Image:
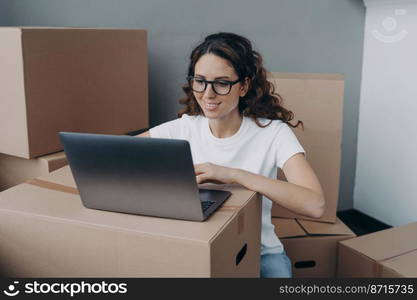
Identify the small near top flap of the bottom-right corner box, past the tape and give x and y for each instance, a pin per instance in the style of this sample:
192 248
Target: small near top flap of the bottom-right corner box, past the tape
404 265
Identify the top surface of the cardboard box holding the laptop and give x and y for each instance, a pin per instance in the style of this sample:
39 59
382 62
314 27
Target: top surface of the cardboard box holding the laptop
41 202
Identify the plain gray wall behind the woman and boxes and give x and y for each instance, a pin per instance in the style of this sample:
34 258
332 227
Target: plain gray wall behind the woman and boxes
293 36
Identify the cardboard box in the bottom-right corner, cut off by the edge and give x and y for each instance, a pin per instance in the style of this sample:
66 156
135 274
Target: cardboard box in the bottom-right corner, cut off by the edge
386 253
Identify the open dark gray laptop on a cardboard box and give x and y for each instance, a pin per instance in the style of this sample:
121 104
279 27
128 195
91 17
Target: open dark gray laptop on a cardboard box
138 175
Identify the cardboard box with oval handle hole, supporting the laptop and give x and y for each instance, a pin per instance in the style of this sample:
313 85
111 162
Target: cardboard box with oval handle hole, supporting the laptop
46 232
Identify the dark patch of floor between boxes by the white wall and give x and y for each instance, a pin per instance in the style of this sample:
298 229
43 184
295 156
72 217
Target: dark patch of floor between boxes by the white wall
361 223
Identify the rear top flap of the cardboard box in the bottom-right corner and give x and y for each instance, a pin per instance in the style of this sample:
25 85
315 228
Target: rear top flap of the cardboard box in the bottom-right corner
387 243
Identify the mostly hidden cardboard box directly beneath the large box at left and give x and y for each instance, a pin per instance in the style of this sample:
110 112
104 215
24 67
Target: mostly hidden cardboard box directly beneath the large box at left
15 170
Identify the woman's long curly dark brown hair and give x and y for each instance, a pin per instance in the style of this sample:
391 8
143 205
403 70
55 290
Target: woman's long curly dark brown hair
261 100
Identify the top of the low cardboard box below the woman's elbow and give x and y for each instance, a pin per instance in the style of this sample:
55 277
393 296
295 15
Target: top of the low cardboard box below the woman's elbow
290 228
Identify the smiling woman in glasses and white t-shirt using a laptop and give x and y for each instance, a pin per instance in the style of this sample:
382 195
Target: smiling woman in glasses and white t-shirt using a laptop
239 133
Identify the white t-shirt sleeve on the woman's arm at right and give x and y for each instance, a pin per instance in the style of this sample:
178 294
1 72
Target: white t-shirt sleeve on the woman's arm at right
287 145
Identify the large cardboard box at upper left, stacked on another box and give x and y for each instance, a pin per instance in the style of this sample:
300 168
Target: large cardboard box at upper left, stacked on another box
69 79
